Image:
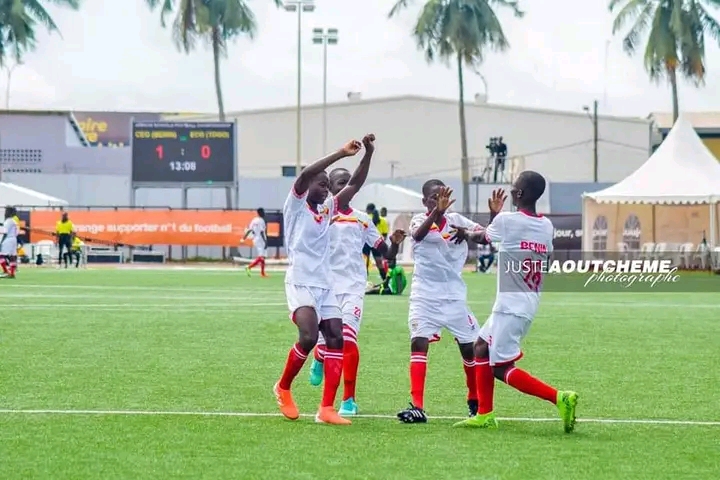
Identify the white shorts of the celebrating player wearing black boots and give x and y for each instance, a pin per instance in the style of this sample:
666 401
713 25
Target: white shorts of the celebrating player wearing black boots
428 317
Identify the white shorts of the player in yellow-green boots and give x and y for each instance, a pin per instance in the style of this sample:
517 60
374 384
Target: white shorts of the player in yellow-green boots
503 333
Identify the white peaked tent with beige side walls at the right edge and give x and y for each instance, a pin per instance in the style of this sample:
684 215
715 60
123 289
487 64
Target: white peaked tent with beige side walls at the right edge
673 197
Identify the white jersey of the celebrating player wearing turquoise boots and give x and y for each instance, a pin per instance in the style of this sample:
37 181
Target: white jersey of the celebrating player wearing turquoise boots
350 231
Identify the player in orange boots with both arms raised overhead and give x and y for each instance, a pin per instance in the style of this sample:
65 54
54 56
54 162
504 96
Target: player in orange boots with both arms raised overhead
313 306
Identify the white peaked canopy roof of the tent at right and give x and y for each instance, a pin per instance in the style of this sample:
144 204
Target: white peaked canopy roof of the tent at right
681 171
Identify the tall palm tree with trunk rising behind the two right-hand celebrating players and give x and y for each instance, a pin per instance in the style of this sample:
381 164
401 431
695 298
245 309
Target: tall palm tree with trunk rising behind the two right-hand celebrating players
462 31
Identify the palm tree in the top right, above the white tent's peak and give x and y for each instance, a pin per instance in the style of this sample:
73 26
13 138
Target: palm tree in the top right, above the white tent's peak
675 37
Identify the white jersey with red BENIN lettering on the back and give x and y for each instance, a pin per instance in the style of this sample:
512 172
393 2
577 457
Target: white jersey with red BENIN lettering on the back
525 246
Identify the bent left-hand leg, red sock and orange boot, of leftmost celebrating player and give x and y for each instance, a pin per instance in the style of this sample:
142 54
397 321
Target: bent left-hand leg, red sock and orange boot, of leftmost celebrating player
306 320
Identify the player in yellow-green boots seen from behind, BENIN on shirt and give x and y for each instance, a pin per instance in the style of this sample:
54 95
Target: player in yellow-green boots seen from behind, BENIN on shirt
526 241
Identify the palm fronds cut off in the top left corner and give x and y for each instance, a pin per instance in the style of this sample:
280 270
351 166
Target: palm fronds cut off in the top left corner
18 21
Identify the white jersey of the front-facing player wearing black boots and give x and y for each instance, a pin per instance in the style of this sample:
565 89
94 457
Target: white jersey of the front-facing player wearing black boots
439 262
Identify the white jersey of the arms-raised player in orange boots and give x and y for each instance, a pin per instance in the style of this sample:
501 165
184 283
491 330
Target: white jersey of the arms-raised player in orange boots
308 241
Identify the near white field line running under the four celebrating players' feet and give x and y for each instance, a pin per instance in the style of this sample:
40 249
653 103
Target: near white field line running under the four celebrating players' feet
259 415
